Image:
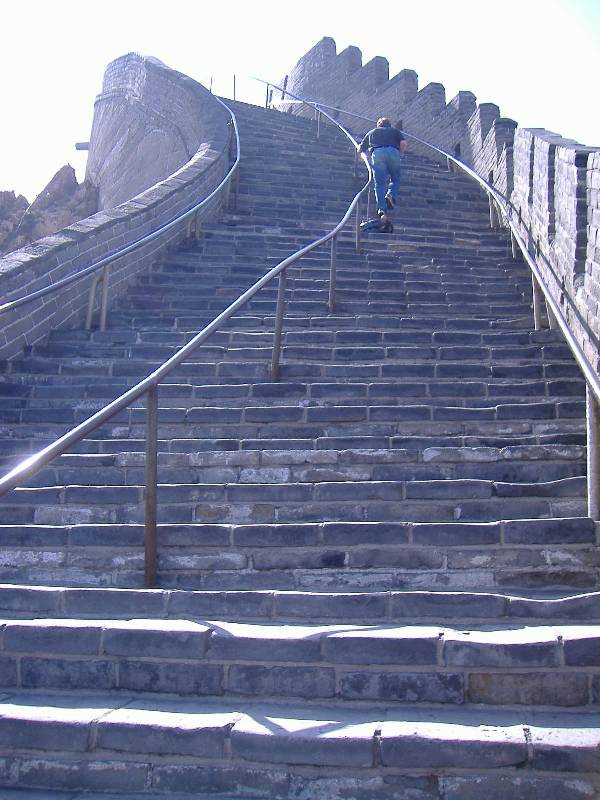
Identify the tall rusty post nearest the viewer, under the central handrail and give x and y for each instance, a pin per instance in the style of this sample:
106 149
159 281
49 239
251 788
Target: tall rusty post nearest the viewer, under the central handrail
151 491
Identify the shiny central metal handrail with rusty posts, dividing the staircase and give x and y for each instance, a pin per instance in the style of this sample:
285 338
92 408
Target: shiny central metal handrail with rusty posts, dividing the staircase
149 385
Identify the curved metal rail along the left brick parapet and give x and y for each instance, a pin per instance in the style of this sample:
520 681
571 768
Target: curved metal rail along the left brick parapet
97 265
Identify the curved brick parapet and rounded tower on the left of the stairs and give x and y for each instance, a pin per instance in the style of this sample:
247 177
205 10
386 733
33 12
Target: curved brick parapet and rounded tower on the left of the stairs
79 245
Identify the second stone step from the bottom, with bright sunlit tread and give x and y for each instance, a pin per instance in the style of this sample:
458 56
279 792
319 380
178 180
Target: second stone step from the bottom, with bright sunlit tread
555 666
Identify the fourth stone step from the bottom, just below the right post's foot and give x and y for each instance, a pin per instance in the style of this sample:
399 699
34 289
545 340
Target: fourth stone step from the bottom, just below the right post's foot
542 554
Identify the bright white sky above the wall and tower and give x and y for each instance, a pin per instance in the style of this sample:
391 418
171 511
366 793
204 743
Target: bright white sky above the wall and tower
538 60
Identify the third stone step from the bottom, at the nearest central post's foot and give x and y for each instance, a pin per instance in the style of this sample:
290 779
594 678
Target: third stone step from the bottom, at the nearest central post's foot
269 605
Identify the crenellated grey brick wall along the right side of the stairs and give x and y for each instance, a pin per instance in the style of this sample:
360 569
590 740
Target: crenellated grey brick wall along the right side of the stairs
552 182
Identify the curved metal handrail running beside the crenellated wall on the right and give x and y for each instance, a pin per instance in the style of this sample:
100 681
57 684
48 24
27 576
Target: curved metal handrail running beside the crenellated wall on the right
506 210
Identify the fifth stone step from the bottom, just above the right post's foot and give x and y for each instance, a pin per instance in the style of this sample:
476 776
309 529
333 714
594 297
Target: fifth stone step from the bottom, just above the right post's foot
418 500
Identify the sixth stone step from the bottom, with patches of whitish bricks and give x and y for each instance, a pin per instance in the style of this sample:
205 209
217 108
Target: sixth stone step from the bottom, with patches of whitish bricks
511 464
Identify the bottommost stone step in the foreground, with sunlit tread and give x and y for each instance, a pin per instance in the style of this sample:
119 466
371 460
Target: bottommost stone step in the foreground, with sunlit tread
114 743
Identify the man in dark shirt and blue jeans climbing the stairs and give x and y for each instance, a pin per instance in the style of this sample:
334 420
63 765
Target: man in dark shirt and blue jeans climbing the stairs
385 144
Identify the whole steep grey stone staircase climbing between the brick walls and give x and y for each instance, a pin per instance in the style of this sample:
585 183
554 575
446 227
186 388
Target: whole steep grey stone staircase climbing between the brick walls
378 579
